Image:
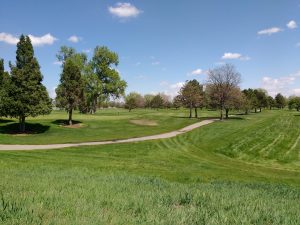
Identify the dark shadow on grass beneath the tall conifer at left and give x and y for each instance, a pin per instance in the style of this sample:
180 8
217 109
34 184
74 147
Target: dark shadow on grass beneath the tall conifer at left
31 128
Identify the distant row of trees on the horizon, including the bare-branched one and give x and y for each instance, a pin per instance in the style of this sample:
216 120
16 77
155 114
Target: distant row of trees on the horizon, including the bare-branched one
221 91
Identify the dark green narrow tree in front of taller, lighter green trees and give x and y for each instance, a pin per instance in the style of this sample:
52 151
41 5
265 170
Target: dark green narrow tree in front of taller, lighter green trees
69 91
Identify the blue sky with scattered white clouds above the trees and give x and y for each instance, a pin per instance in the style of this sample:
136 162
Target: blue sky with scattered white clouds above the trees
161 44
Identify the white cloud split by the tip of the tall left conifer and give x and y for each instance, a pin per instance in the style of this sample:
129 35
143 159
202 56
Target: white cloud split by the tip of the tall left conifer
47 39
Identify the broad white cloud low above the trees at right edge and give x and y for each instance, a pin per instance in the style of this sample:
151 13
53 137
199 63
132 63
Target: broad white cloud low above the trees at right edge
281 85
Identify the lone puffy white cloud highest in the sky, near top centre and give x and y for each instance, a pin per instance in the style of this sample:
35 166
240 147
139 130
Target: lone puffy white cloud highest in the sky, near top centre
124 10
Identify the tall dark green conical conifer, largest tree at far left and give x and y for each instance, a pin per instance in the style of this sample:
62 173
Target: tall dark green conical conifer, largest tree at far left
26 94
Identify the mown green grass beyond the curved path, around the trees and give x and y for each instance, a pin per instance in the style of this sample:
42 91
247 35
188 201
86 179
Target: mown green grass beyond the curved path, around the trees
107 124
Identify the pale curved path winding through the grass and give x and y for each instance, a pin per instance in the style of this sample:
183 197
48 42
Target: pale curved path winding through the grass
146 138
